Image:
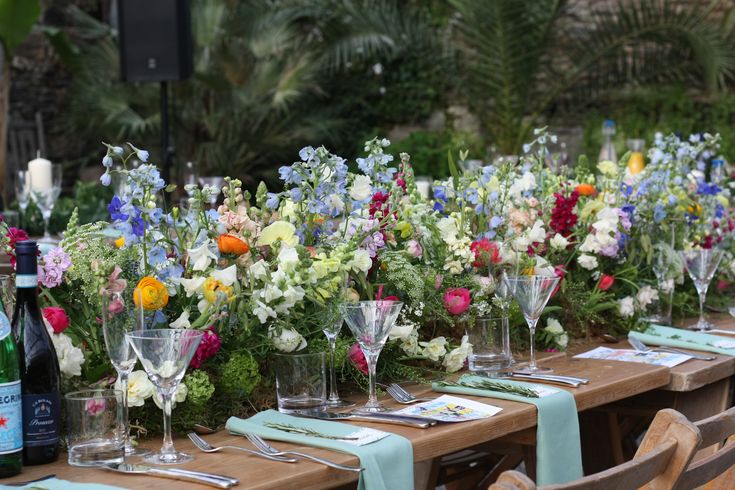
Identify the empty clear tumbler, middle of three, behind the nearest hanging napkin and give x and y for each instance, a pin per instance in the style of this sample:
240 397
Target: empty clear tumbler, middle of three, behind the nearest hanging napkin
301 382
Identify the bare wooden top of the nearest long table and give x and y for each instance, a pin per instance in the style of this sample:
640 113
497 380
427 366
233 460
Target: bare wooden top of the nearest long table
609 381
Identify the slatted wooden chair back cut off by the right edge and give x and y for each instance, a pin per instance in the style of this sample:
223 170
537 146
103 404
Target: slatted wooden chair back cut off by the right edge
717 471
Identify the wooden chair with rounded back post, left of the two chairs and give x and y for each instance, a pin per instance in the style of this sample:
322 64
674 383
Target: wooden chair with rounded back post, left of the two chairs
659 463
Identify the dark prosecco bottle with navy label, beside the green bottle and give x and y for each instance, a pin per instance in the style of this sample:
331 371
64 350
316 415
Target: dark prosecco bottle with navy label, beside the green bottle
39 367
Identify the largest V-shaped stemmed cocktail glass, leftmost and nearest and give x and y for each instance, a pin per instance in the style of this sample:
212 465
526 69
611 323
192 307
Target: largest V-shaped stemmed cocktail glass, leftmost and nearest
165 354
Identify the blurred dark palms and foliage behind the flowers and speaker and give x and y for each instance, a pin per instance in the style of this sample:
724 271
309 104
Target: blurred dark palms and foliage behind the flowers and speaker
274 75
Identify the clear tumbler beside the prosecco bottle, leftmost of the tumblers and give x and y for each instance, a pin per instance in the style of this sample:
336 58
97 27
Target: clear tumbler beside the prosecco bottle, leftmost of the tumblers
95 429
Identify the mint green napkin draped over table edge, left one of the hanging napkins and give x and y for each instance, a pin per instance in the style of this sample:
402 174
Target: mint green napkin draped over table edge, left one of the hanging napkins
387 463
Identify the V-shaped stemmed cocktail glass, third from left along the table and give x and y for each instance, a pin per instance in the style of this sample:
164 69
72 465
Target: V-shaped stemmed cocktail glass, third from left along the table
532 293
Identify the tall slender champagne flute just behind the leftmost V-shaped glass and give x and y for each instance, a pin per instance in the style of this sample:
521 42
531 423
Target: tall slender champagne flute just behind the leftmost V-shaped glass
119 317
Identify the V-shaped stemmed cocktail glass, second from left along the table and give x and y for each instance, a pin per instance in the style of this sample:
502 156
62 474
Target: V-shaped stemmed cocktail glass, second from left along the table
371 322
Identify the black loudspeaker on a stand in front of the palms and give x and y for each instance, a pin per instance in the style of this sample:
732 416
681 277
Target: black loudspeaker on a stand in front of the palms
155 40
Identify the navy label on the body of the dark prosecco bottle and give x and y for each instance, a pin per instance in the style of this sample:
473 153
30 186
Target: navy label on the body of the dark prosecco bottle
41 419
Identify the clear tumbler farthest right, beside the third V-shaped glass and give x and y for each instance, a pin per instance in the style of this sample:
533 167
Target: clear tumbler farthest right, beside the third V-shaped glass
488 350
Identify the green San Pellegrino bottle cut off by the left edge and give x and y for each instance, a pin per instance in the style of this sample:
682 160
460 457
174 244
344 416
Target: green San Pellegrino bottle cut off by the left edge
11 416
